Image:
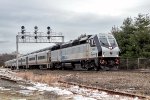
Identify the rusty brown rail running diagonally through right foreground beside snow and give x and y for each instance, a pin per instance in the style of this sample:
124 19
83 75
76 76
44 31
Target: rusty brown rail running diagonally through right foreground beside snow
112 92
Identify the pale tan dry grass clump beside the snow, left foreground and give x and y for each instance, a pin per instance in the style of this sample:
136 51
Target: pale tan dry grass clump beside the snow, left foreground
46 78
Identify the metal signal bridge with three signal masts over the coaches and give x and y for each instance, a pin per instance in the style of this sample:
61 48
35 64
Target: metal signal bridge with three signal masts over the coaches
37 37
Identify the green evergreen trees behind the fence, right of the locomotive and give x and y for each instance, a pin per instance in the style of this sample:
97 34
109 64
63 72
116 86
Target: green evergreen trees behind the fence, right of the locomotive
133 36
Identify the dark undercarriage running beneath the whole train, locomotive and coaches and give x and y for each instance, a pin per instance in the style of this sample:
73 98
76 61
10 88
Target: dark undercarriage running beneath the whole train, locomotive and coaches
92 64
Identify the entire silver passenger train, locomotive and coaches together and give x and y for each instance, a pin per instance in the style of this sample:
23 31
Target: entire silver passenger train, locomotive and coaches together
90 52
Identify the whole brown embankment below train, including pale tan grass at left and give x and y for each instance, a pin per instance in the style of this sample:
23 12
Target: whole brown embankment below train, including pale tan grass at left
126 81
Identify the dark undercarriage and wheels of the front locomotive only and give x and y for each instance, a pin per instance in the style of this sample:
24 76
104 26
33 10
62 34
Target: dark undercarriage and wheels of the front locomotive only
92 64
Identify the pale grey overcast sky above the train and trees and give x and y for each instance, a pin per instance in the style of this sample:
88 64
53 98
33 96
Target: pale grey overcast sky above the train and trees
71 17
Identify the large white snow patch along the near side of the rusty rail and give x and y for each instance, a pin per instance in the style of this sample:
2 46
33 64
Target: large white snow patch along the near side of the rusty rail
84 93
